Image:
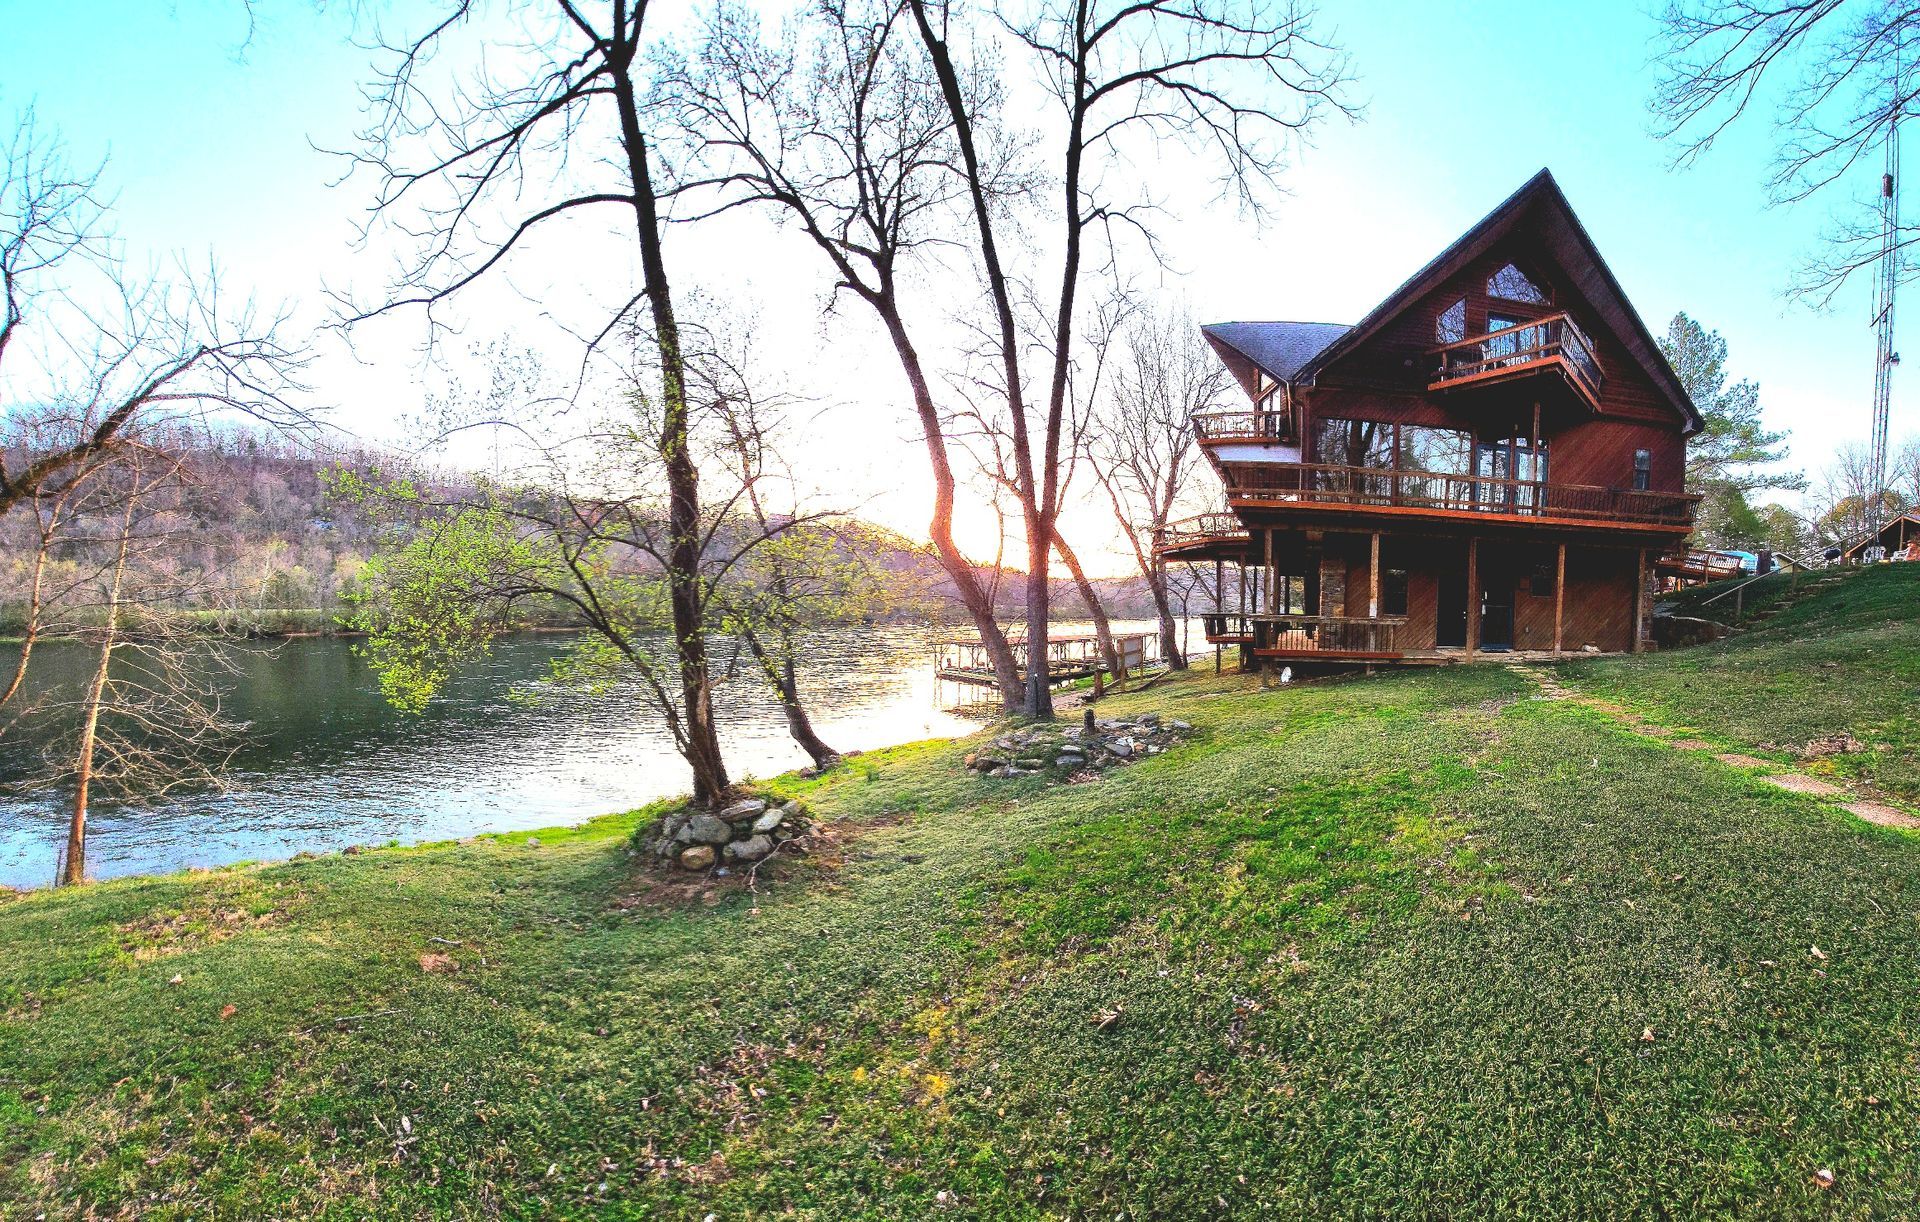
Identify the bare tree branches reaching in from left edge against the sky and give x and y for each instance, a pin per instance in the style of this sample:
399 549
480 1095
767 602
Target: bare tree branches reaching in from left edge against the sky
93 358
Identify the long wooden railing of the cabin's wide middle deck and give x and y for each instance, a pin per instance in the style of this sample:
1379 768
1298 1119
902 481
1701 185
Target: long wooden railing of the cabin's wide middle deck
1328 485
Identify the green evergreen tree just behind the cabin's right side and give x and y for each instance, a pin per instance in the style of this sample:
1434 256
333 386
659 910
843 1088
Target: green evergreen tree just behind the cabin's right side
1735 456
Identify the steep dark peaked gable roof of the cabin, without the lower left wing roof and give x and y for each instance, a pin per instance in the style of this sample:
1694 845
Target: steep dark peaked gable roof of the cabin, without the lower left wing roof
1545 207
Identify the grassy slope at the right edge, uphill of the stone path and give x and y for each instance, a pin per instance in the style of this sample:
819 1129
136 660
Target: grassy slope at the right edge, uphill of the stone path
1844 660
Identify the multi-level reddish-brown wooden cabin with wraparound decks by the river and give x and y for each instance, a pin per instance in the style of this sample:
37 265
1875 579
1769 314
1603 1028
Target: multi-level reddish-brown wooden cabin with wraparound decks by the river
1493 460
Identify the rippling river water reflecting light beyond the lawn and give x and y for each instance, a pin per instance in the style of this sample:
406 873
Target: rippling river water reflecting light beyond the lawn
327 764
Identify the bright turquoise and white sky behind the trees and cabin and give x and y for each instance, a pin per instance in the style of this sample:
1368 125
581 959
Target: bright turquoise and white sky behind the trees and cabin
210 149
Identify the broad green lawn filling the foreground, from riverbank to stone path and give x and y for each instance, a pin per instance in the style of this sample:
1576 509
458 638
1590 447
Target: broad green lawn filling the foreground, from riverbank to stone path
1410 946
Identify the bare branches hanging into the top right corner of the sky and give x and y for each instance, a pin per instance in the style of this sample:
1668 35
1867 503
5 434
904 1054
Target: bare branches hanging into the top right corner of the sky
1833 74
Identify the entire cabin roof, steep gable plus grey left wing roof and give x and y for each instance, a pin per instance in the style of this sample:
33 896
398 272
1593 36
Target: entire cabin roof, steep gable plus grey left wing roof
1541 207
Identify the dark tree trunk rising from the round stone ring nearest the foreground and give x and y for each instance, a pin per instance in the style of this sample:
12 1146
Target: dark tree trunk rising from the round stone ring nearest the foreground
683 479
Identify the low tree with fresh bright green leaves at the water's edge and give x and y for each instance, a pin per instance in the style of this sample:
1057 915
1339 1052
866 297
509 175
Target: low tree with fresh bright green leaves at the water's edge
587 529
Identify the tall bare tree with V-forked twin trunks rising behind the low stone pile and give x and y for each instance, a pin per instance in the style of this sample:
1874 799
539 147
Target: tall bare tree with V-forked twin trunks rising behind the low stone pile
1236 82
